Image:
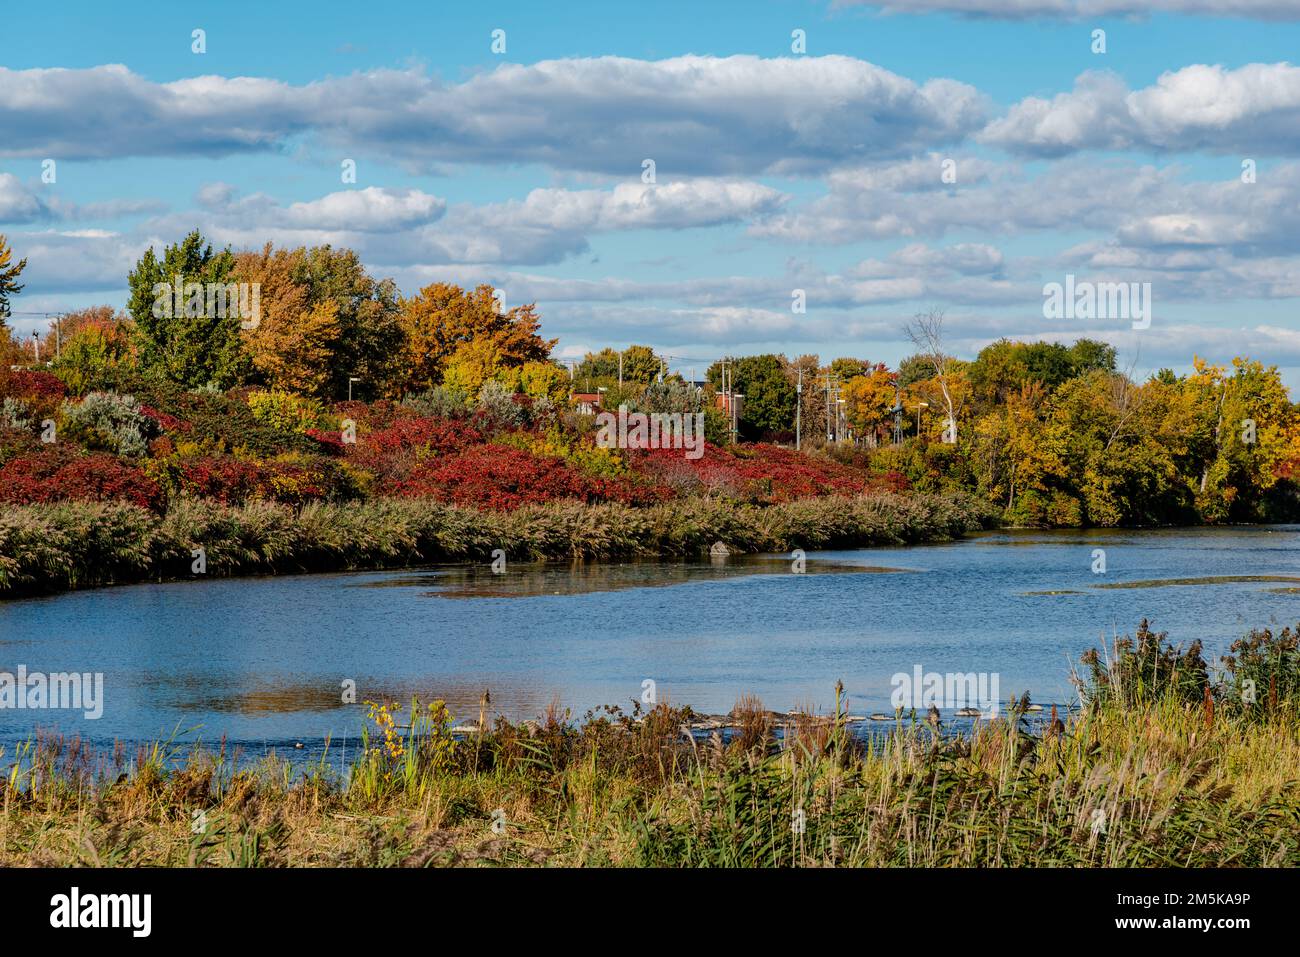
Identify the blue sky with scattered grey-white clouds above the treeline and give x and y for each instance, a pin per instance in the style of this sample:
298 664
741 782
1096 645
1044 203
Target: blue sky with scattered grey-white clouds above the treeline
775 171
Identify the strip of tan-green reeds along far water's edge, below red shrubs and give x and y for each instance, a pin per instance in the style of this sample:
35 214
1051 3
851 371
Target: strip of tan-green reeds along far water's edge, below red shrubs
54 548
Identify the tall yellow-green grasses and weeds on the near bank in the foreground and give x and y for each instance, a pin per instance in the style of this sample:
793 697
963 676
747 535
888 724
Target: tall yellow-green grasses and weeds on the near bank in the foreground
1164 765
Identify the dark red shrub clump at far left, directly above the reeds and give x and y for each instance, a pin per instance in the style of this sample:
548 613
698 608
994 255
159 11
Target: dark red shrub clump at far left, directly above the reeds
58 477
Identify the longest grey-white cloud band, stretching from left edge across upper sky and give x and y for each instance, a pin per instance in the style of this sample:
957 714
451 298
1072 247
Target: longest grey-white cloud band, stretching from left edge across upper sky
694 115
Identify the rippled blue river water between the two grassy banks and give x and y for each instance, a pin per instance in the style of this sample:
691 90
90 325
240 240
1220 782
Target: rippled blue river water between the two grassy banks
263 660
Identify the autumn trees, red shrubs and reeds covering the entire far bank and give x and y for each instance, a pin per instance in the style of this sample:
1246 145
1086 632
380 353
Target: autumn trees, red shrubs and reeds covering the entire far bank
344 395
